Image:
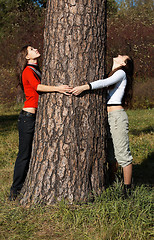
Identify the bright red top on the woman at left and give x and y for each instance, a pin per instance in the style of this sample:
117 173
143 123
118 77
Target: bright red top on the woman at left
30 82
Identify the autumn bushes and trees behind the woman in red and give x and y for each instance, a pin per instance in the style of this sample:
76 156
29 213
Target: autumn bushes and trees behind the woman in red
21 23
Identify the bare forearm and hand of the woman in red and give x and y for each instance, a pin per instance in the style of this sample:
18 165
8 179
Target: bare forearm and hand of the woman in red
65 89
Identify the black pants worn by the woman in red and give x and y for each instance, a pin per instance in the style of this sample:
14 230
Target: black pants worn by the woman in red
26 125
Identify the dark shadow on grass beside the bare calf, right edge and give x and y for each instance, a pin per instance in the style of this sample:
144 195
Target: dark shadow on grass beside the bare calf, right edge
144 173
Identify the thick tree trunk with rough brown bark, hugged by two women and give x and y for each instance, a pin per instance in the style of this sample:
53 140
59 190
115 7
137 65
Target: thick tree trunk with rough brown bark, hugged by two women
68 155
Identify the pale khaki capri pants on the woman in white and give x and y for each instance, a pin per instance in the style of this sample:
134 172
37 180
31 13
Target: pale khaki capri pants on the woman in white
118 147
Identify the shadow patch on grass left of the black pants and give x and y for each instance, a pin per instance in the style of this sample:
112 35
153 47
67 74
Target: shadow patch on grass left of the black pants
8 122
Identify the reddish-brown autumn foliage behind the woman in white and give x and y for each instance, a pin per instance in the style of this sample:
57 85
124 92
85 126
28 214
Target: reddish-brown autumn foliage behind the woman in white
130 31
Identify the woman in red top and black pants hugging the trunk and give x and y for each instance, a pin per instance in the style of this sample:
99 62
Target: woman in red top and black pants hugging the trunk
29 75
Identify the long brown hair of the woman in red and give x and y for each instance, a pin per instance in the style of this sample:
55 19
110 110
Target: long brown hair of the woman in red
21 63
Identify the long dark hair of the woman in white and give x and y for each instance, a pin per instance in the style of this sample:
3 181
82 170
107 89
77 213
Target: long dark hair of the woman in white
129 70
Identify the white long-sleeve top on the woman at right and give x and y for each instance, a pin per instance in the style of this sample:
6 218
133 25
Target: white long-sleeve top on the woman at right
119 80
